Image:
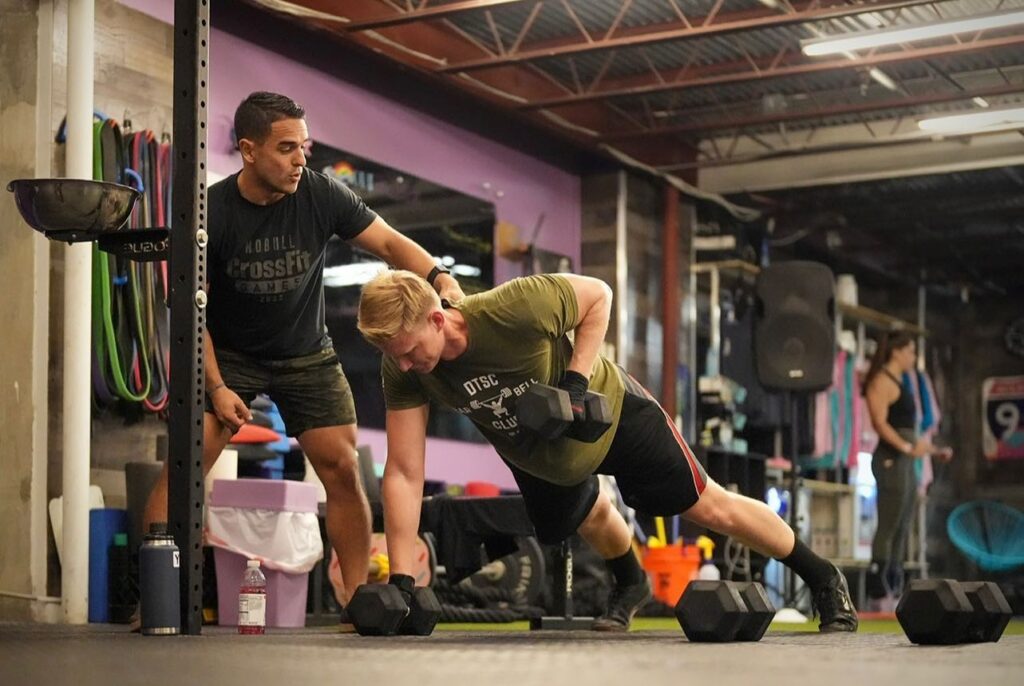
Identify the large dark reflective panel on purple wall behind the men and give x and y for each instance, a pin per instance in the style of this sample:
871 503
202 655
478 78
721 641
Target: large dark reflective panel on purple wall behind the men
456 229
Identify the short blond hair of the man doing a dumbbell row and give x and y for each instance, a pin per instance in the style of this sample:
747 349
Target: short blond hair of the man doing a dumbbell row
394 303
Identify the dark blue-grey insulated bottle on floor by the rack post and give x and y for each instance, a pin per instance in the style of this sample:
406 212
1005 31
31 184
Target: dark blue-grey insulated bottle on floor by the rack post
159 573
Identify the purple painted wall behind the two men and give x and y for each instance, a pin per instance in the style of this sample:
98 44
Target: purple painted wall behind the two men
340 115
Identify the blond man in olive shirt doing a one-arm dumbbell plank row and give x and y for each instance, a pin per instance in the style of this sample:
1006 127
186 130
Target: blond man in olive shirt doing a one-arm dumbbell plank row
495 346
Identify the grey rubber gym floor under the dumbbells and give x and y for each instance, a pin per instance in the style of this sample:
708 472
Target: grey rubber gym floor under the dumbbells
655 653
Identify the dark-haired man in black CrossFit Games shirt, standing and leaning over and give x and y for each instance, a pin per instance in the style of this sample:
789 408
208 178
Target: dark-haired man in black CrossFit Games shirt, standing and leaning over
270 226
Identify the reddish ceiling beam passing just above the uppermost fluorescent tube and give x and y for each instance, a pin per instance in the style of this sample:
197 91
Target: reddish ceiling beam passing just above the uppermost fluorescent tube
700 28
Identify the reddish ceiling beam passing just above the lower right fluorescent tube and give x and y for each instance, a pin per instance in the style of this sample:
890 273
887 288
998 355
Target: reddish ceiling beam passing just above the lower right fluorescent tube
719 124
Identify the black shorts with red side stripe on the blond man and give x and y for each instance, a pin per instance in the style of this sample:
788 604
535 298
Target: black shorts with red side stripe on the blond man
656 471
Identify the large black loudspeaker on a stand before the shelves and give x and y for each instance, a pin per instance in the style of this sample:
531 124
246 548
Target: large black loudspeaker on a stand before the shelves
794 330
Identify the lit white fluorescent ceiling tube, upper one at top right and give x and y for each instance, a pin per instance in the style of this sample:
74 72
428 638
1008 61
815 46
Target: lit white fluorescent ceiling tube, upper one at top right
909 34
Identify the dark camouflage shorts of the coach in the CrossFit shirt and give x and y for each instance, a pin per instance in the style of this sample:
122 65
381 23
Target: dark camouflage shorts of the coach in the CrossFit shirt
311 392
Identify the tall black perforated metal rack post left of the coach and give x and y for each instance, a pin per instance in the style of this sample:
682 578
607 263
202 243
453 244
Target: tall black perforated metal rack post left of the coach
188 302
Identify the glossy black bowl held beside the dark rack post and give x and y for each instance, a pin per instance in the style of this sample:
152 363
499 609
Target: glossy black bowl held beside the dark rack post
63 208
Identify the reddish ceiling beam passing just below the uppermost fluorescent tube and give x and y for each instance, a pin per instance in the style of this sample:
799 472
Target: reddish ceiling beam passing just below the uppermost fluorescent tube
780 72
